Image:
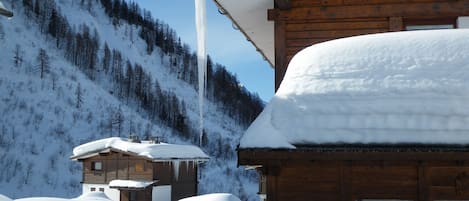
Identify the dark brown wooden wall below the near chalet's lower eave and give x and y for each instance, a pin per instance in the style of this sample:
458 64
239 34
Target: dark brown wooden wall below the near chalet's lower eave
355 180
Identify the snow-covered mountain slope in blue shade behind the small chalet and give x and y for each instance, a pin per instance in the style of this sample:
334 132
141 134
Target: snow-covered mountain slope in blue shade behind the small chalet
44 118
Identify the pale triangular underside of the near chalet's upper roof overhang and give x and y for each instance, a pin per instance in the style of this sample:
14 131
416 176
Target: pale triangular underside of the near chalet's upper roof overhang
251 19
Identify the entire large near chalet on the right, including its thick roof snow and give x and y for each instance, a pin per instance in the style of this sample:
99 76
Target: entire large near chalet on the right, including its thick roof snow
317 159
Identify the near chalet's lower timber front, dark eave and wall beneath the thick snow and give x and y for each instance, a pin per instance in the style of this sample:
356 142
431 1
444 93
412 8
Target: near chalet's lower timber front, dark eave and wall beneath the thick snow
331 174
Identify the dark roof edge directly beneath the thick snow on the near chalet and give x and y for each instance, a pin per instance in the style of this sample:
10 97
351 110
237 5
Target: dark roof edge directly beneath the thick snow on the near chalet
269 156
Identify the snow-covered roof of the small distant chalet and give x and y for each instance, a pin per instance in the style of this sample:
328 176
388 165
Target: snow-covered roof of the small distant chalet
154 152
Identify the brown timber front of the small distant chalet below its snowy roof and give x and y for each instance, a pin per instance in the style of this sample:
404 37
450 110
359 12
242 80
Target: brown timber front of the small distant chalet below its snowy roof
116 165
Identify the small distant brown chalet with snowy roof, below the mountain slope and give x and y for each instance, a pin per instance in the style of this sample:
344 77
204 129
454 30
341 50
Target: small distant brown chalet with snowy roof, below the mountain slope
134 170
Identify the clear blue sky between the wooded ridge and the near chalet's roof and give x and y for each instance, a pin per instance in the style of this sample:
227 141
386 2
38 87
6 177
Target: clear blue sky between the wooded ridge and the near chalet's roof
225 45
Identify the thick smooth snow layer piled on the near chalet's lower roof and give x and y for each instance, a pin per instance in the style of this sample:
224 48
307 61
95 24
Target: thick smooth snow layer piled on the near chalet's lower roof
405 87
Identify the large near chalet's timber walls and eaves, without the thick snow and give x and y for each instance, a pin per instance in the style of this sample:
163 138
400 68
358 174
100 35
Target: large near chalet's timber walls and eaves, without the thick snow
348 171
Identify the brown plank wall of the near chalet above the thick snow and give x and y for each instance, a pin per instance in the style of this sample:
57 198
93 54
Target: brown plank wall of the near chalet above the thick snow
302 23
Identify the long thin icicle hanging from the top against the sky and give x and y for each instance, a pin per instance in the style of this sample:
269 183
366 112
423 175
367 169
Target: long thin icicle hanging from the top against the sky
200 23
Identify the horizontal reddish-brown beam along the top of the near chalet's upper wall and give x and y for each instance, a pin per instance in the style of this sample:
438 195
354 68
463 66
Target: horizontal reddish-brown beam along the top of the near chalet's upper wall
453 8
